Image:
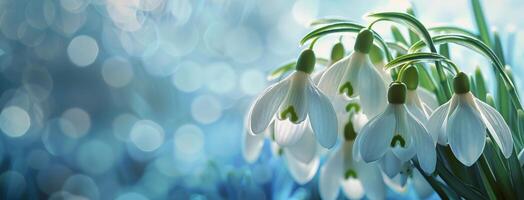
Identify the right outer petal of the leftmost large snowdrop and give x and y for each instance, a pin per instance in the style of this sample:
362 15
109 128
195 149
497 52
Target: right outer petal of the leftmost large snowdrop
322 117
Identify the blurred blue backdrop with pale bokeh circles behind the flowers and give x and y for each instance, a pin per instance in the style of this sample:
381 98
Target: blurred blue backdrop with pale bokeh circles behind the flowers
145 99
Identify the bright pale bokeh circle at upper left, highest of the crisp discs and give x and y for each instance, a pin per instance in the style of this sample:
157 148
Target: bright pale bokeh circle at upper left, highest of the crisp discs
82 50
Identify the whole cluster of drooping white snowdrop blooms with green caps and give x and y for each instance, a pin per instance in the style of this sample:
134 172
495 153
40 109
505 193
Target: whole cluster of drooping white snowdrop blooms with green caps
380 128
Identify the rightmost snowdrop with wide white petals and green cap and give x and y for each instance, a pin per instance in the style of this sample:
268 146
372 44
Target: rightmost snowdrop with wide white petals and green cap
462 123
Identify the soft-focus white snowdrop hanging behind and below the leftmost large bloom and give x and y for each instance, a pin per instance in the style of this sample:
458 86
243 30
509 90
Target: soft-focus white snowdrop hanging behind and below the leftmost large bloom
301 158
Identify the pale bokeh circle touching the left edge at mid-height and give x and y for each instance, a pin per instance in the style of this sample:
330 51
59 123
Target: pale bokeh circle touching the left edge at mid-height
14 121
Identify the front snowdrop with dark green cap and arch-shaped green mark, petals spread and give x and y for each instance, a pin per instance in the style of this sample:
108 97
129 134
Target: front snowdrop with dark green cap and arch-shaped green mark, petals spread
395 136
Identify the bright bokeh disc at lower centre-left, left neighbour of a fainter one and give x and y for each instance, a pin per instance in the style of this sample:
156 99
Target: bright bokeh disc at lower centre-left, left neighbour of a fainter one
147 135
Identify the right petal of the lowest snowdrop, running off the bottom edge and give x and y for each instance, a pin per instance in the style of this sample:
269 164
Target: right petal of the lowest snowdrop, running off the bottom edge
371 178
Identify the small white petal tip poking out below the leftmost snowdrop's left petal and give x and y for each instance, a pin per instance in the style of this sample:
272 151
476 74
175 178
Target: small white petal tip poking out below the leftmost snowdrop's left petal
252 146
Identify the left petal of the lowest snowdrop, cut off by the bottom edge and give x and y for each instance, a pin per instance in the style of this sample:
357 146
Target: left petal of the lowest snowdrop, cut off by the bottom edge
331 174
